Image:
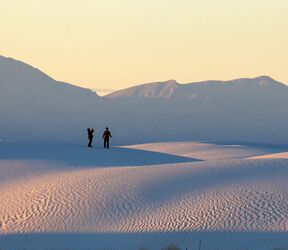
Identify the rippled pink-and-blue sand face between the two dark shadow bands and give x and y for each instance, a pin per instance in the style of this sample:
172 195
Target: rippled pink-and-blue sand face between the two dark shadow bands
243 195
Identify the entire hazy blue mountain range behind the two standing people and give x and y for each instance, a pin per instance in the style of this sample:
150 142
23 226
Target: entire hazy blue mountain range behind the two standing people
35 107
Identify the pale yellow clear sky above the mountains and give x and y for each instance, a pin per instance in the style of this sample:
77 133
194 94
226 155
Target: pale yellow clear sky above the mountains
114 44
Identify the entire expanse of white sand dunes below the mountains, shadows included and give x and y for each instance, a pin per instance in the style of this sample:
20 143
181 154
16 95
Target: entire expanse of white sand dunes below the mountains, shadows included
148 199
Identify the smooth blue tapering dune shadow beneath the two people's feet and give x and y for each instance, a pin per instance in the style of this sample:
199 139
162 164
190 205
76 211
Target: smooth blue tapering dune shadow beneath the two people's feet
79 155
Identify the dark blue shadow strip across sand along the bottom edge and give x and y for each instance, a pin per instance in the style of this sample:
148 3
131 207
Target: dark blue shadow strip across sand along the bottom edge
154 240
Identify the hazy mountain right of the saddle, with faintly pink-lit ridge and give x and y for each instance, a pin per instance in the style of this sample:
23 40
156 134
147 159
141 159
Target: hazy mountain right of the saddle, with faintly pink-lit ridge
239 110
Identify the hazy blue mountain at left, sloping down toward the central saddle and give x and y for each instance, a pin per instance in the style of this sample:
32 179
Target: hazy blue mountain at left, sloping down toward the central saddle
35 106
